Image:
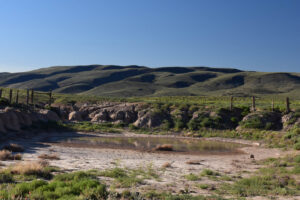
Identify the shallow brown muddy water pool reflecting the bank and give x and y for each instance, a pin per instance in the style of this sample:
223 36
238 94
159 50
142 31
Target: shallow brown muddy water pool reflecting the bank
149 144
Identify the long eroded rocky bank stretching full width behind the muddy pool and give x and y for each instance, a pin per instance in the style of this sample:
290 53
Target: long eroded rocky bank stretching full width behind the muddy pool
141 115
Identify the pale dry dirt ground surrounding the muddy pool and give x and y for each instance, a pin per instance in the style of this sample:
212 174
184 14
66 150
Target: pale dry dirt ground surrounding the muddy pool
171 179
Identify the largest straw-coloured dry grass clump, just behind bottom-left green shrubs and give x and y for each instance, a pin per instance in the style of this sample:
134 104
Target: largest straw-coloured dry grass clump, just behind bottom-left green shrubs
27 168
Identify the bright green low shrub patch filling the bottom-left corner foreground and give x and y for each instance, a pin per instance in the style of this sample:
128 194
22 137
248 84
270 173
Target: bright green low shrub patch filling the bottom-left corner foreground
78 185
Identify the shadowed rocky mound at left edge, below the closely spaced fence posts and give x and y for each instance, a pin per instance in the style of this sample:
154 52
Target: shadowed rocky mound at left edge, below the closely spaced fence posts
12 119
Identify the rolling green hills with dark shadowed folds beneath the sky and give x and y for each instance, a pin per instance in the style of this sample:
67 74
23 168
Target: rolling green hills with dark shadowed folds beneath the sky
125 81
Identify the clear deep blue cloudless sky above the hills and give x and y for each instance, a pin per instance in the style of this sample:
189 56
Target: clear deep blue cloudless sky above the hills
261 35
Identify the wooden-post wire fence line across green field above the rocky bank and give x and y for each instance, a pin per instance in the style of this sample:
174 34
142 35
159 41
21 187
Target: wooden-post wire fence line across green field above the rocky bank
32 98
